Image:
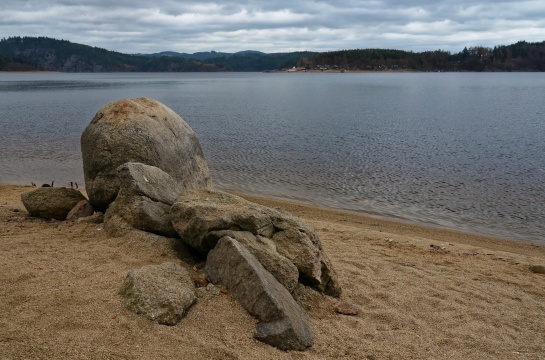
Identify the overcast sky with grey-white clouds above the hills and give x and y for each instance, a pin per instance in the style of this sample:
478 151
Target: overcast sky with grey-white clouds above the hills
135 26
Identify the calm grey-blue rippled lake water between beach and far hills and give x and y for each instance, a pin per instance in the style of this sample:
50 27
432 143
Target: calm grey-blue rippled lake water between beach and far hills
457 150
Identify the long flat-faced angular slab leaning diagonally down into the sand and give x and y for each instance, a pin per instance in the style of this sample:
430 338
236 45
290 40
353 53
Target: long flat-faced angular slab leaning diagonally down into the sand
284 323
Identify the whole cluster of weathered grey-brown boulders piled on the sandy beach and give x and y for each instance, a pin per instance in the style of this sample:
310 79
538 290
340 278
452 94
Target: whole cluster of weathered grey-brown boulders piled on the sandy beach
144 167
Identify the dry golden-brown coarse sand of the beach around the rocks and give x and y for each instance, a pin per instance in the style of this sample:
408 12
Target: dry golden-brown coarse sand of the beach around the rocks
467 297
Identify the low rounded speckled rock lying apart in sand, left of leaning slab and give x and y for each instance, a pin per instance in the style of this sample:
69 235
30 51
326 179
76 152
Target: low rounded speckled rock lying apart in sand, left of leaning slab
162 293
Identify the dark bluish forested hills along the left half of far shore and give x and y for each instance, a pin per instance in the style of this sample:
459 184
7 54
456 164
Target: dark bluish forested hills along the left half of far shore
42 53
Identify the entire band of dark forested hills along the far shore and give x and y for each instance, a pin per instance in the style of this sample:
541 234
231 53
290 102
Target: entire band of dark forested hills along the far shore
41 53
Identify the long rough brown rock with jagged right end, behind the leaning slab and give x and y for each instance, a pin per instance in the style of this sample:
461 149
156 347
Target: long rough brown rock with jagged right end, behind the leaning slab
199 215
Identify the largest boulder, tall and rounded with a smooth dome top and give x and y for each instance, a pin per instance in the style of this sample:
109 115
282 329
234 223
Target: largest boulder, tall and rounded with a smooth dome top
142 131
